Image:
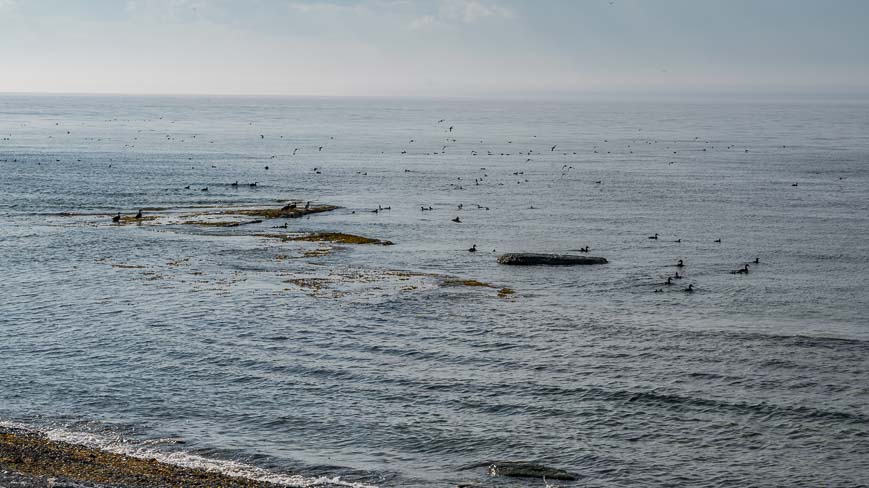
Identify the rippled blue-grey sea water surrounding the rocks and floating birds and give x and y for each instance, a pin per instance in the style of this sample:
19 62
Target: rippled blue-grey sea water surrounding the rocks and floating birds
385 376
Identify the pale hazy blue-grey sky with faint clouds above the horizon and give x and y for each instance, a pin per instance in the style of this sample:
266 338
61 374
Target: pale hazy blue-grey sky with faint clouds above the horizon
453 48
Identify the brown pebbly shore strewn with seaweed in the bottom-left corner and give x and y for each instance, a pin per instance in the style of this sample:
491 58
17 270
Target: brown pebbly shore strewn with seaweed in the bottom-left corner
34 454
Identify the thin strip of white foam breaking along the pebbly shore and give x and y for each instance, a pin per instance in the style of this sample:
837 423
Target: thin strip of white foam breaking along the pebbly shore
117 445
